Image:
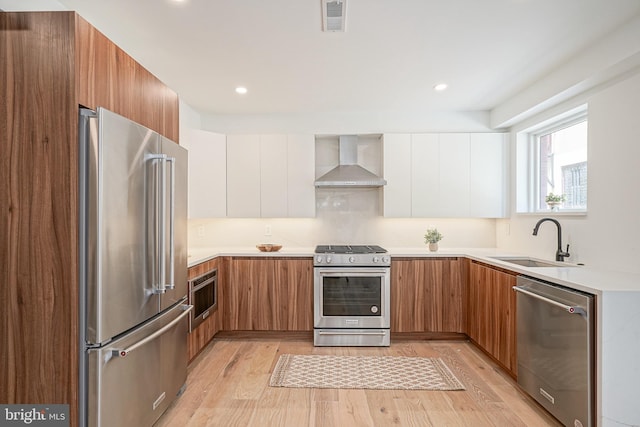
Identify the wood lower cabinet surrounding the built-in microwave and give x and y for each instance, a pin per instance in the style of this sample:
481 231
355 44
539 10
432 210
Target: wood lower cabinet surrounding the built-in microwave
200 336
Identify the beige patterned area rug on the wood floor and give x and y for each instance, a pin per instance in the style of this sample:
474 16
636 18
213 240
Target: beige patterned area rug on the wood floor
370 372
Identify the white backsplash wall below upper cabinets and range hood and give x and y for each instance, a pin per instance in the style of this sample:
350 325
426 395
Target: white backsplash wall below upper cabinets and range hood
350 216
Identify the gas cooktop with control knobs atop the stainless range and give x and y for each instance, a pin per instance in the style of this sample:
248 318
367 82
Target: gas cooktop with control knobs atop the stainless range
351 255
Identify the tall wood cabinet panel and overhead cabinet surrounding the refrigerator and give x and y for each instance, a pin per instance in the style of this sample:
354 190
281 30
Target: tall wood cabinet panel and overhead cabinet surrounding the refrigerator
52 62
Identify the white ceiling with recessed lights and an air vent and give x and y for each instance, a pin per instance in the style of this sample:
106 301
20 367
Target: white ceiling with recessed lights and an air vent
387 61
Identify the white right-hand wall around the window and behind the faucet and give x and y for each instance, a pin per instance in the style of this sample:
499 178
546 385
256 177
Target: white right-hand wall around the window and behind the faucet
608 237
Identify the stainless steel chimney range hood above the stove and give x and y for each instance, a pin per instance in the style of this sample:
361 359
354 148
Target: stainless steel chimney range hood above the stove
349 173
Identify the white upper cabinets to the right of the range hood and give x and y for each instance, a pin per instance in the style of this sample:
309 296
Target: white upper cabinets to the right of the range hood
445 175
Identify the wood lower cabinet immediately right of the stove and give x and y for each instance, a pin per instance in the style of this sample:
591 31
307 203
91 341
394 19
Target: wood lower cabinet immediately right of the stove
428 295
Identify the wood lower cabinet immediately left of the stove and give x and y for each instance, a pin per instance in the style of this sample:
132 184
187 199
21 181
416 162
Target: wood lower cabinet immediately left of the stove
268 294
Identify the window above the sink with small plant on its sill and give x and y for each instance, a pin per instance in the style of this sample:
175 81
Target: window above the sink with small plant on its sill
556 159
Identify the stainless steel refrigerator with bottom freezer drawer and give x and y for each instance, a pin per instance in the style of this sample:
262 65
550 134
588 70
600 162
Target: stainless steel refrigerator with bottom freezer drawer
133 271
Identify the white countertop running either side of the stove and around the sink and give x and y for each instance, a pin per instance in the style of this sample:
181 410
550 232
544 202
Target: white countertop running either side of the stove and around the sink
577 277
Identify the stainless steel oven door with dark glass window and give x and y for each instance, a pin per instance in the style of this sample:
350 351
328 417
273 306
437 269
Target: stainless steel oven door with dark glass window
354 298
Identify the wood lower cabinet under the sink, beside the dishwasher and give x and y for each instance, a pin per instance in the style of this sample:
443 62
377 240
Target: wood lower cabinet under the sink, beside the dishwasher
491 320
